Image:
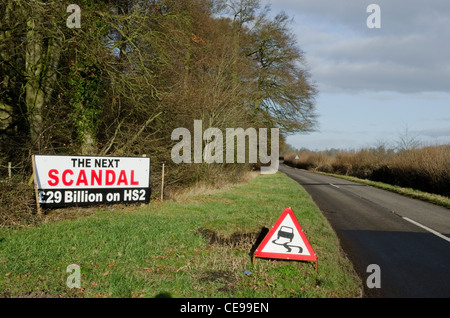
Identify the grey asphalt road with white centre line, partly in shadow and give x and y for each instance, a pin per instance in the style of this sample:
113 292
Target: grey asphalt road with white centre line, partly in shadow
408 239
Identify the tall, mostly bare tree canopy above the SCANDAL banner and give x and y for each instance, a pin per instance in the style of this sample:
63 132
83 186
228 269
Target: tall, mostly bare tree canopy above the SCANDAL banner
136 70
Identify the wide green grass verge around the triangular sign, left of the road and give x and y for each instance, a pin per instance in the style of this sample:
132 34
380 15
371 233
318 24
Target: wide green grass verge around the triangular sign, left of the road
159 250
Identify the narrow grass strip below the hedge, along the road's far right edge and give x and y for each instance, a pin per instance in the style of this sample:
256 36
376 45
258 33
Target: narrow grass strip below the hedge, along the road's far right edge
412 193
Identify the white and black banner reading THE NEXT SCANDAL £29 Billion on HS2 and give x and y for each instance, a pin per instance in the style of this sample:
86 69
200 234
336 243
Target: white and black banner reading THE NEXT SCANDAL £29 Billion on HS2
63 181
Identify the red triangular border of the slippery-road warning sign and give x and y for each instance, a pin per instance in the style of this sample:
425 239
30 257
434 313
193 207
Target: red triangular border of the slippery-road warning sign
286 256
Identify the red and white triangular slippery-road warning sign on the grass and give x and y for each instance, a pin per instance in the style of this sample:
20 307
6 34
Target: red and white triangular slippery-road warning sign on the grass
286 240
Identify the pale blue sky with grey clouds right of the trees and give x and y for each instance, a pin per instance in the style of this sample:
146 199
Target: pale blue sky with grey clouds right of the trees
375 84
